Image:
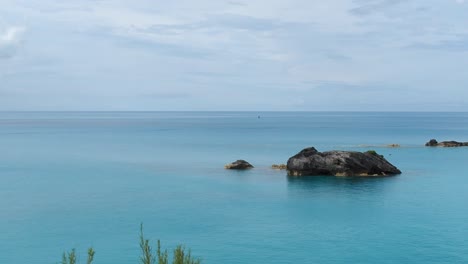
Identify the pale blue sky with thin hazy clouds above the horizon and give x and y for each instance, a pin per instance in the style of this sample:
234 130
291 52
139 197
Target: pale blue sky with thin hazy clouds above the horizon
230 55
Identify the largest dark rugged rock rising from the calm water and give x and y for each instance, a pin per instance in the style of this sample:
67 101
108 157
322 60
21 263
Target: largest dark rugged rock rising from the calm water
339 163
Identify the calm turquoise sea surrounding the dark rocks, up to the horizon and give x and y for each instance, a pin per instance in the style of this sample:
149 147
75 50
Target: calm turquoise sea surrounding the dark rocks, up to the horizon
74 180
